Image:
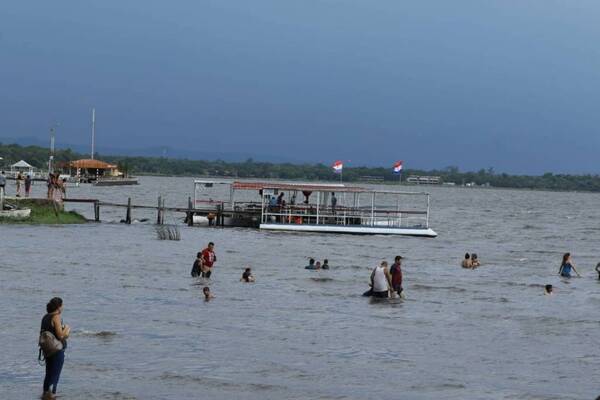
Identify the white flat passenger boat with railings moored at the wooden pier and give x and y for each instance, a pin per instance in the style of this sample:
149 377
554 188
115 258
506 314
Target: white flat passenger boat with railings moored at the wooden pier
312 208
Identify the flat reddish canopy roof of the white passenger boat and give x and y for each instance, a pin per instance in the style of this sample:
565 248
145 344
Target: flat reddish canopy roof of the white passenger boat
314 187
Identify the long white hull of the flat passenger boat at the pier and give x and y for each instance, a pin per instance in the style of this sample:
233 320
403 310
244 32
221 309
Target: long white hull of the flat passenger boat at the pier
361 230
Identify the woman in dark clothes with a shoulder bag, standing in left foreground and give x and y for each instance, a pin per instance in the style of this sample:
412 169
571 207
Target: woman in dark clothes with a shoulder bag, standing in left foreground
52 322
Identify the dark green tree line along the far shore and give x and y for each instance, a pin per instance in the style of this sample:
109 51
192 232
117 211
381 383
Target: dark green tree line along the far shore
38 157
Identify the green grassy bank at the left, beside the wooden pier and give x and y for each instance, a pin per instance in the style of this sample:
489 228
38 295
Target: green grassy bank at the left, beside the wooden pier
44 212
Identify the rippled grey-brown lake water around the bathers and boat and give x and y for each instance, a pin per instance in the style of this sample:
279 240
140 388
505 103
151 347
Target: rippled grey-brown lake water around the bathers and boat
143 331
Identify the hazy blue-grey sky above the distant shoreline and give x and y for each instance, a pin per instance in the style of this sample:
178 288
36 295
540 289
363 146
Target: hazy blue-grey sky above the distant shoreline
508 84
